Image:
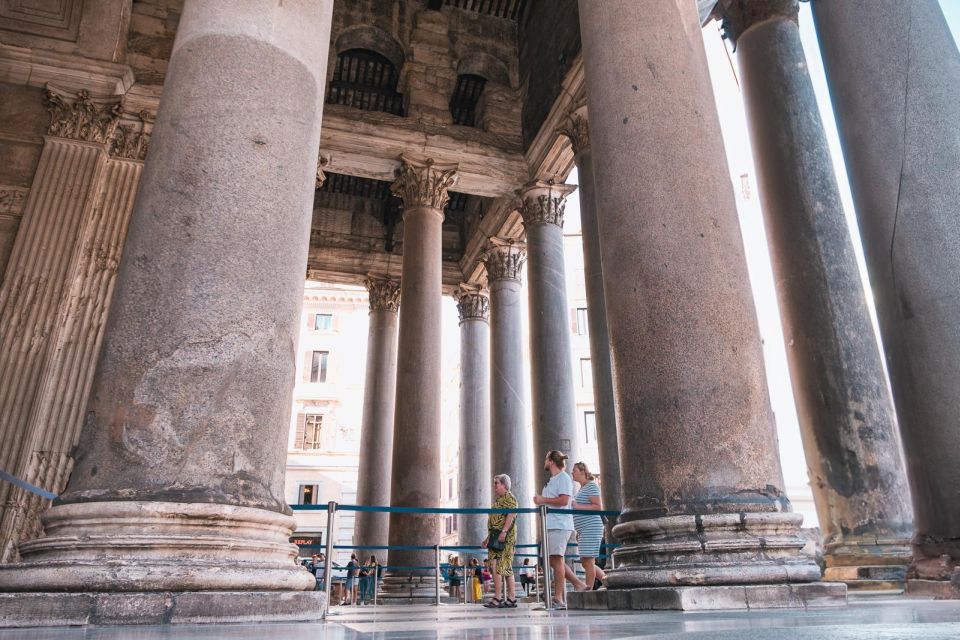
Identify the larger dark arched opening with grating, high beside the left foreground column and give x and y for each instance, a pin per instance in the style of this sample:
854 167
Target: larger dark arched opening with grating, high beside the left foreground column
366 80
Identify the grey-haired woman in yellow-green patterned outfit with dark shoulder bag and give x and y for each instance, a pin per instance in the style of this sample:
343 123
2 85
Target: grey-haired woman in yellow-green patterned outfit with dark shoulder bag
502 532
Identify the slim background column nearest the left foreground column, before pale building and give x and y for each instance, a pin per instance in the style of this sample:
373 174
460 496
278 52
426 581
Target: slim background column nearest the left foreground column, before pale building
376 431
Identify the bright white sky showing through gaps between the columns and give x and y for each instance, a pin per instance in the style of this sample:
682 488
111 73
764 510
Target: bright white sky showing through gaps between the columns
722 63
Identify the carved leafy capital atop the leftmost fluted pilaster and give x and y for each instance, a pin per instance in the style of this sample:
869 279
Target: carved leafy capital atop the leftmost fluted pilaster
82 117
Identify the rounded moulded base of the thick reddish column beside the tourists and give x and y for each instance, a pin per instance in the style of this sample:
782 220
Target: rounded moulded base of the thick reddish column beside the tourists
716 549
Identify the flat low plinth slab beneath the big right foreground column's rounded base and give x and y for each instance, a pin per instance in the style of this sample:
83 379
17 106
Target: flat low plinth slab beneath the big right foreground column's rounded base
710 598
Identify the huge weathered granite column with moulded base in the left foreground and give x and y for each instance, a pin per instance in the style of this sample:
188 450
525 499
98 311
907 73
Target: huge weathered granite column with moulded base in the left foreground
178 482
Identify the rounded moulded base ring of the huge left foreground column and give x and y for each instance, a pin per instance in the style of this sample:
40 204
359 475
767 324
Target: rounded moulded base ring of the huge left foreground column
159 546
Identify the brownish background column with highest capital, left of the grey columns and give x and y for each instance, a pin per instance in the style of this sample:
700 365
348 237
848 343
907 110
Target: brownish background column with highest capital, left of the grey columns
416 473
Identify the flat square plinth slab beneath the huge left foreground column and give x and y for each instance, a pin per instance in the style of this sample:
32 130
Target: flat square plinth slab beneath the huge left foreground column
135 608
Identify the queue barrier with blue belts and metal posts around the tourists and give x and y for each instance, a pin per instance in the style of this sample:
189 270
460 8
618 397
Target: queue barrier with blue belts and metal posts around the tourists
542 512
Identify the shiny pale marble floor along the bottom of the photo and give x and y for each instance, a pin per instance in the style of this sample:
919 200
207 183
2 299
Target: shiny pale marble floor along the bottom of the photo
872 618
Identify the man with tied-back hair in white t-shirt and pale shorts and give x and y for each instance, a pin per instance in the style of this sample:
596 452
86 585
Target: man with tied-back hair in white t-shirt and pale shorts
557 494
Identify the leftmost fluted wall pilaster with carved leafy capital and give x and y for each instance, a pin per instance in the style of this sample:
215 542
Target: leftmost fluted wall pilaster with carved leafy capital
53 237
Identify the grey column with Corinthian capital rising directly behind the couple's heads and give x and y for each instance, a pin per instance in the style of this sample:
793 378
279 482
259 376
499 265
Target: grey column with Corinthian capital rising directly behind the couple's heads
551 374
